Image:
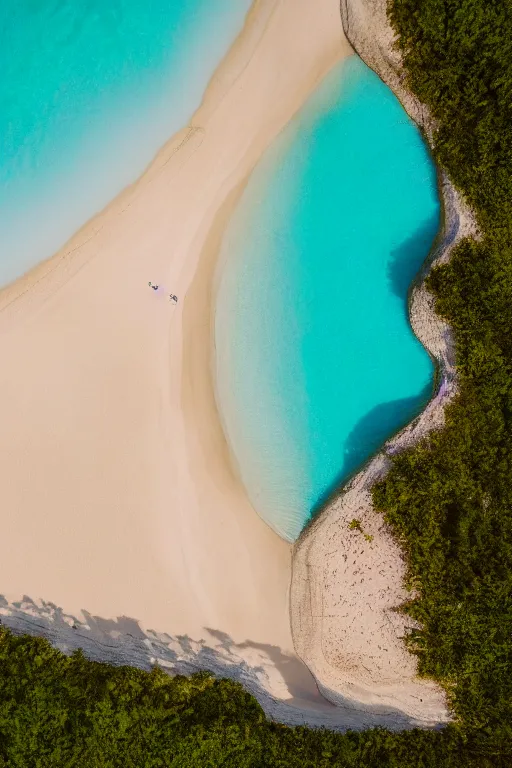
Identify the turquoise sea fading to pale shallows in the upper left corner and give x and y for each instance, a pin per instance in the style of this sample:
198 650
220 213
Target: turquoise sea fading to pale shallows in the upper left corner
89 91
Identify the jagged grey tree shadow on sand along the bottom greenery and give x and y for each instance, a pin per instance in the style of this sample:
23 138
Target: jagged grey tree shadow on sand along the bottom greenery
122 641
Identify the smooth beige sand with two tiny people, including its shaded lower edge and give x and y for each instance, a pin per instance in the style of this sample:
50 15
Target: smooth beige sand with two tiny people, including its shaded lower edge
119 501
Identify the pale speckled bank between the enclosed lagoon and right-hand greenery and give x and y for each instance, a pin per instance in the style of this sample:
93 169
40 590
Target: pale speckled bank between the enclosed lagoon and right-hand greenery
344 586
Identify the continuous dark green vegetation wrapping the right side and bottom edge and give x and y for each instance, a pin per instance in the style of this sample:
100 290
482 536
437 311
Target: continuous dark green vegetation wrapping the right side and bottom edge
449 501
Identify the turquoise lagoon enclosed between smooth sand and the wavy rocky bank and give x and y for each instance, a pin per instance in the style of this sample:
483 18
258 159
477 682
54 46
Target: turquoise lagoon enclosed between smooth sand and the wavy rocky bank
316 362
